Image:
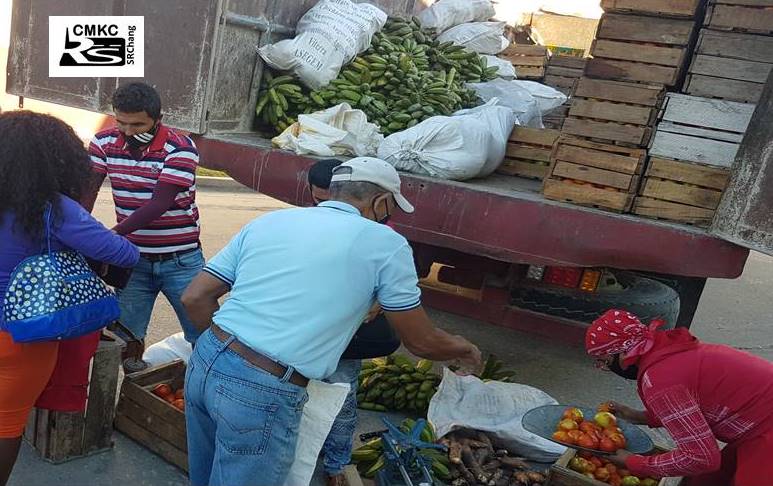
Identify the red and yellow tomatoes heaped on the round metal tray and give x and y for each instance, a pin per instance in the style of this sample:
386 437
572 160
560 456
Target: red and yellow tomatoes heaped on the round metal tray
601 434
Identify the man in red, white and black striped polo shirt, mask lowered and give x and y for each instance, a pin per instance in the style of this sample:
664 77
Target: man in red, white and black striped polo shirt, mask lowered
152 171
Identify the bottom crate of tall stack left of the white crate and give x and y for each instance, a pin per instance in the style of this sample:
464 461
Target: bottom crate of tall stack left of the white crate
594 174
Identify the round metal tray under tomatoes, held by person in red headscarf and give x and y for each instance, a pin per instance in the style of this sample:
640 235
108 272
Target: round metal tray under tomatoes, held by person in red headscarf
543 420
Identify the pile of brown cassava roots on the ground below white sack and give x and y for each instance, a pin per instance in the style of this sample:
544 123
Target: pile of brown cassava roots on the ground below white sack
474 460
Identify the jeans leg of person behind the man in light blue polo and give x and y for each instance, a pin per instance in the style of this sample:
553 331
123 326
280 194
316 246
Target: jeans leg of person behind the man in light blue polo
337 450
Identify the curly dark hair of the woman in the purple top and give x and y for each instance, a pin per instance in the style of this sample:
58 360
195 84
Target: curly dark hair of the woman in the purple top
40 158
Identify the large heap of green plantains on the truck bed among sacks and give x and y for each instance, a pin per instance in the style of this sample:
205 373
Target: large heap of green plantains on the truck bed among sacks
405 77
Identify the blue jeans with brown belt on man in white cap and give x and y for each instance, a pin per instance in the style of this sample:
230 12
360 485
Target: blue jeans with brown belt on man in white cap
242 422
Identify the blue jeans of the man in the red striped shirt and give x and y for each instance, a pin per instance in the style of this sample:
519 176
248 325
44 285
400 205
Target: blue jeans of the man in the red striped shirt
171 278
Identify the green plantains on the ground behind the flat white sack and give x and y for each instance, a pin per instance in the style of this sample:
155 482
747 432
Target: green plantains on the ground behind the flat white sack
397 383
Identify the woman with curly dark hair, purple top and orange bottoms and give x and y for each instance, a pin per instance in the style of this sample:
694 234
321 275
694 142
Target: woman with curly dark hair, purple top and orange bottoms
42 164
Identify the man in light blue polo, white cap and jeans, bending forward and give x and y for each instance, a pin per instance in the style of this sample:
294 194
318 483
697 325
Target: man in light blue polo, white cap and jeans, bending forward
301 281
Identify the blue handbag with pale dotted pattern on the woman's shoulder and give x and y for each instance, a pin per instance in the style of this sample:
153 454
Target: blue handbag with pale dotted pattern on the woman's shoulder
56 295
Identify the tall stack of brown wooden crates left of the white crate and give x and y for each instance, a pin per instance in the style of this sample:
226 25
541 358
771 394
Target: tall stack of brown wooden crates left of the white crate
641 49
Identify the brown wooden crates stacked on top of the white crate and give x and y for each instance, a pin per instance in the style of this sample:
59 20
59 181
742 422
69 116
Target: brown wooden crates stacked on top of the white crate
734 54
